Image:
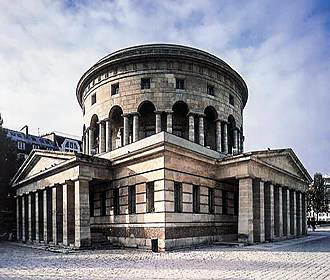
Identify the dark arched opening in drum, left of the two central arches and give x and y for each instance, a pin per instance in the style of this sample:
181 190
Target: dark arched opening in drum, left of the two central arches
147 119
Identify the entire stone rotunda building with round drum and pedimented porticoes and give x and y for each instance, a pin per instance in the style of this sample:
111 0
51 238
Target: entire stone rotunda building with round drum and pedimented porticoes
163 164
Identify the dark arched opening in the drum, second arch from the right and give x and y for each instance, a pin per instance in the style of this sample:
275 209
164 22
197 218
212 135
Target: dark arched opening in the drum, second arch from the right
210 127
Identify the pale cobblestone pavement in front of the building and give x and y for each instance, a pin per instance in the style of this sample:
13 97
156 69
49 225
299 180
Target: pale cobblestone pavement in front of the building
304 258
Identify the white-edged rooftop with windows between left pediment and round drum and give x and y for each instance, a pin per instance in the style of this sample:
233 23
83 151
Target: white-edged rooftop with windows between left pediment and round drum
65 143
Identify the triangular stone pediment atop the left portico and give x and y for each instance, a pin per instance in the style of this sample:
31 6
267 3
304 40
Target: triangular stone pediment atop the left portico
39 161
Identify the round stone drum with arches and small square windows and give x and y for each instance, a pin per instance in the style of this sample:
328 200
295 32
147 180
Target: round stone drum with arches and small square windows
140 91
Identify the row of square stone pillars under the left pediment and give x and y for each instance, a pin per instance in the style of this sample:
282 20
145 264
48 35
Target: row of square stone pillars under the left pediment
55 215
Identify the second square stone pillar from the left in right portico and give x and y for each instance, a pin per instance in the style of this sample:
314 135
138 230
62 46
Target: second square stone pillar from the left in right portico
258 211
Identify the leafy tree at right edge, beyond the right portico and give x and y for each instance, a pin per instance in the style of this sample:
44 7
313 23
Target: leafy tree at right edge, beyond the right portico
317 196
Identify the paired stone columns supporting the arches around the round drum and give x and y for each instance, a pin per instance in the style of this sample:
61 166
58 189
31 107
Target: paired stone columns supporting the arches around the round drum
131 132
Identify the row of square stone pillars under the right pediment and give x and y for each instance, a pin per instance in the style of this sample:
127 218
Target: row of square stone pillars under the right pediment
268 211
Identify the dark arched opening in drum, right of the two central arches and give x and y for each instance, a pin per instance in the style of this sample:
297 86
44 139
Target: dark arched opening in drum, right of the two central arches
180 119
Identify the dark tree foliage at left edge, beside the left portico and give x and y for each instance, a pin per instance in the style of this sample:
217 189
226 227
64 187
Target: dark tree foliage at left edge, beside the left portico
9 164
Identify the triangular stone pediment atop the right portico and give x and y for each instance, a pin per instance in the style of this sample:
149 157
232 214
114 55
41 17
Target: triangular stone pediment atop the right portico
284 159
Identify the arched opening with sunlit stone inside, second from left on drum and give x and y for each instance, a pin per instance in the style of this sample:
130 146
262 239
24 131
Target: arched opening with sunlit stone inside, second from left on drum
117 127
